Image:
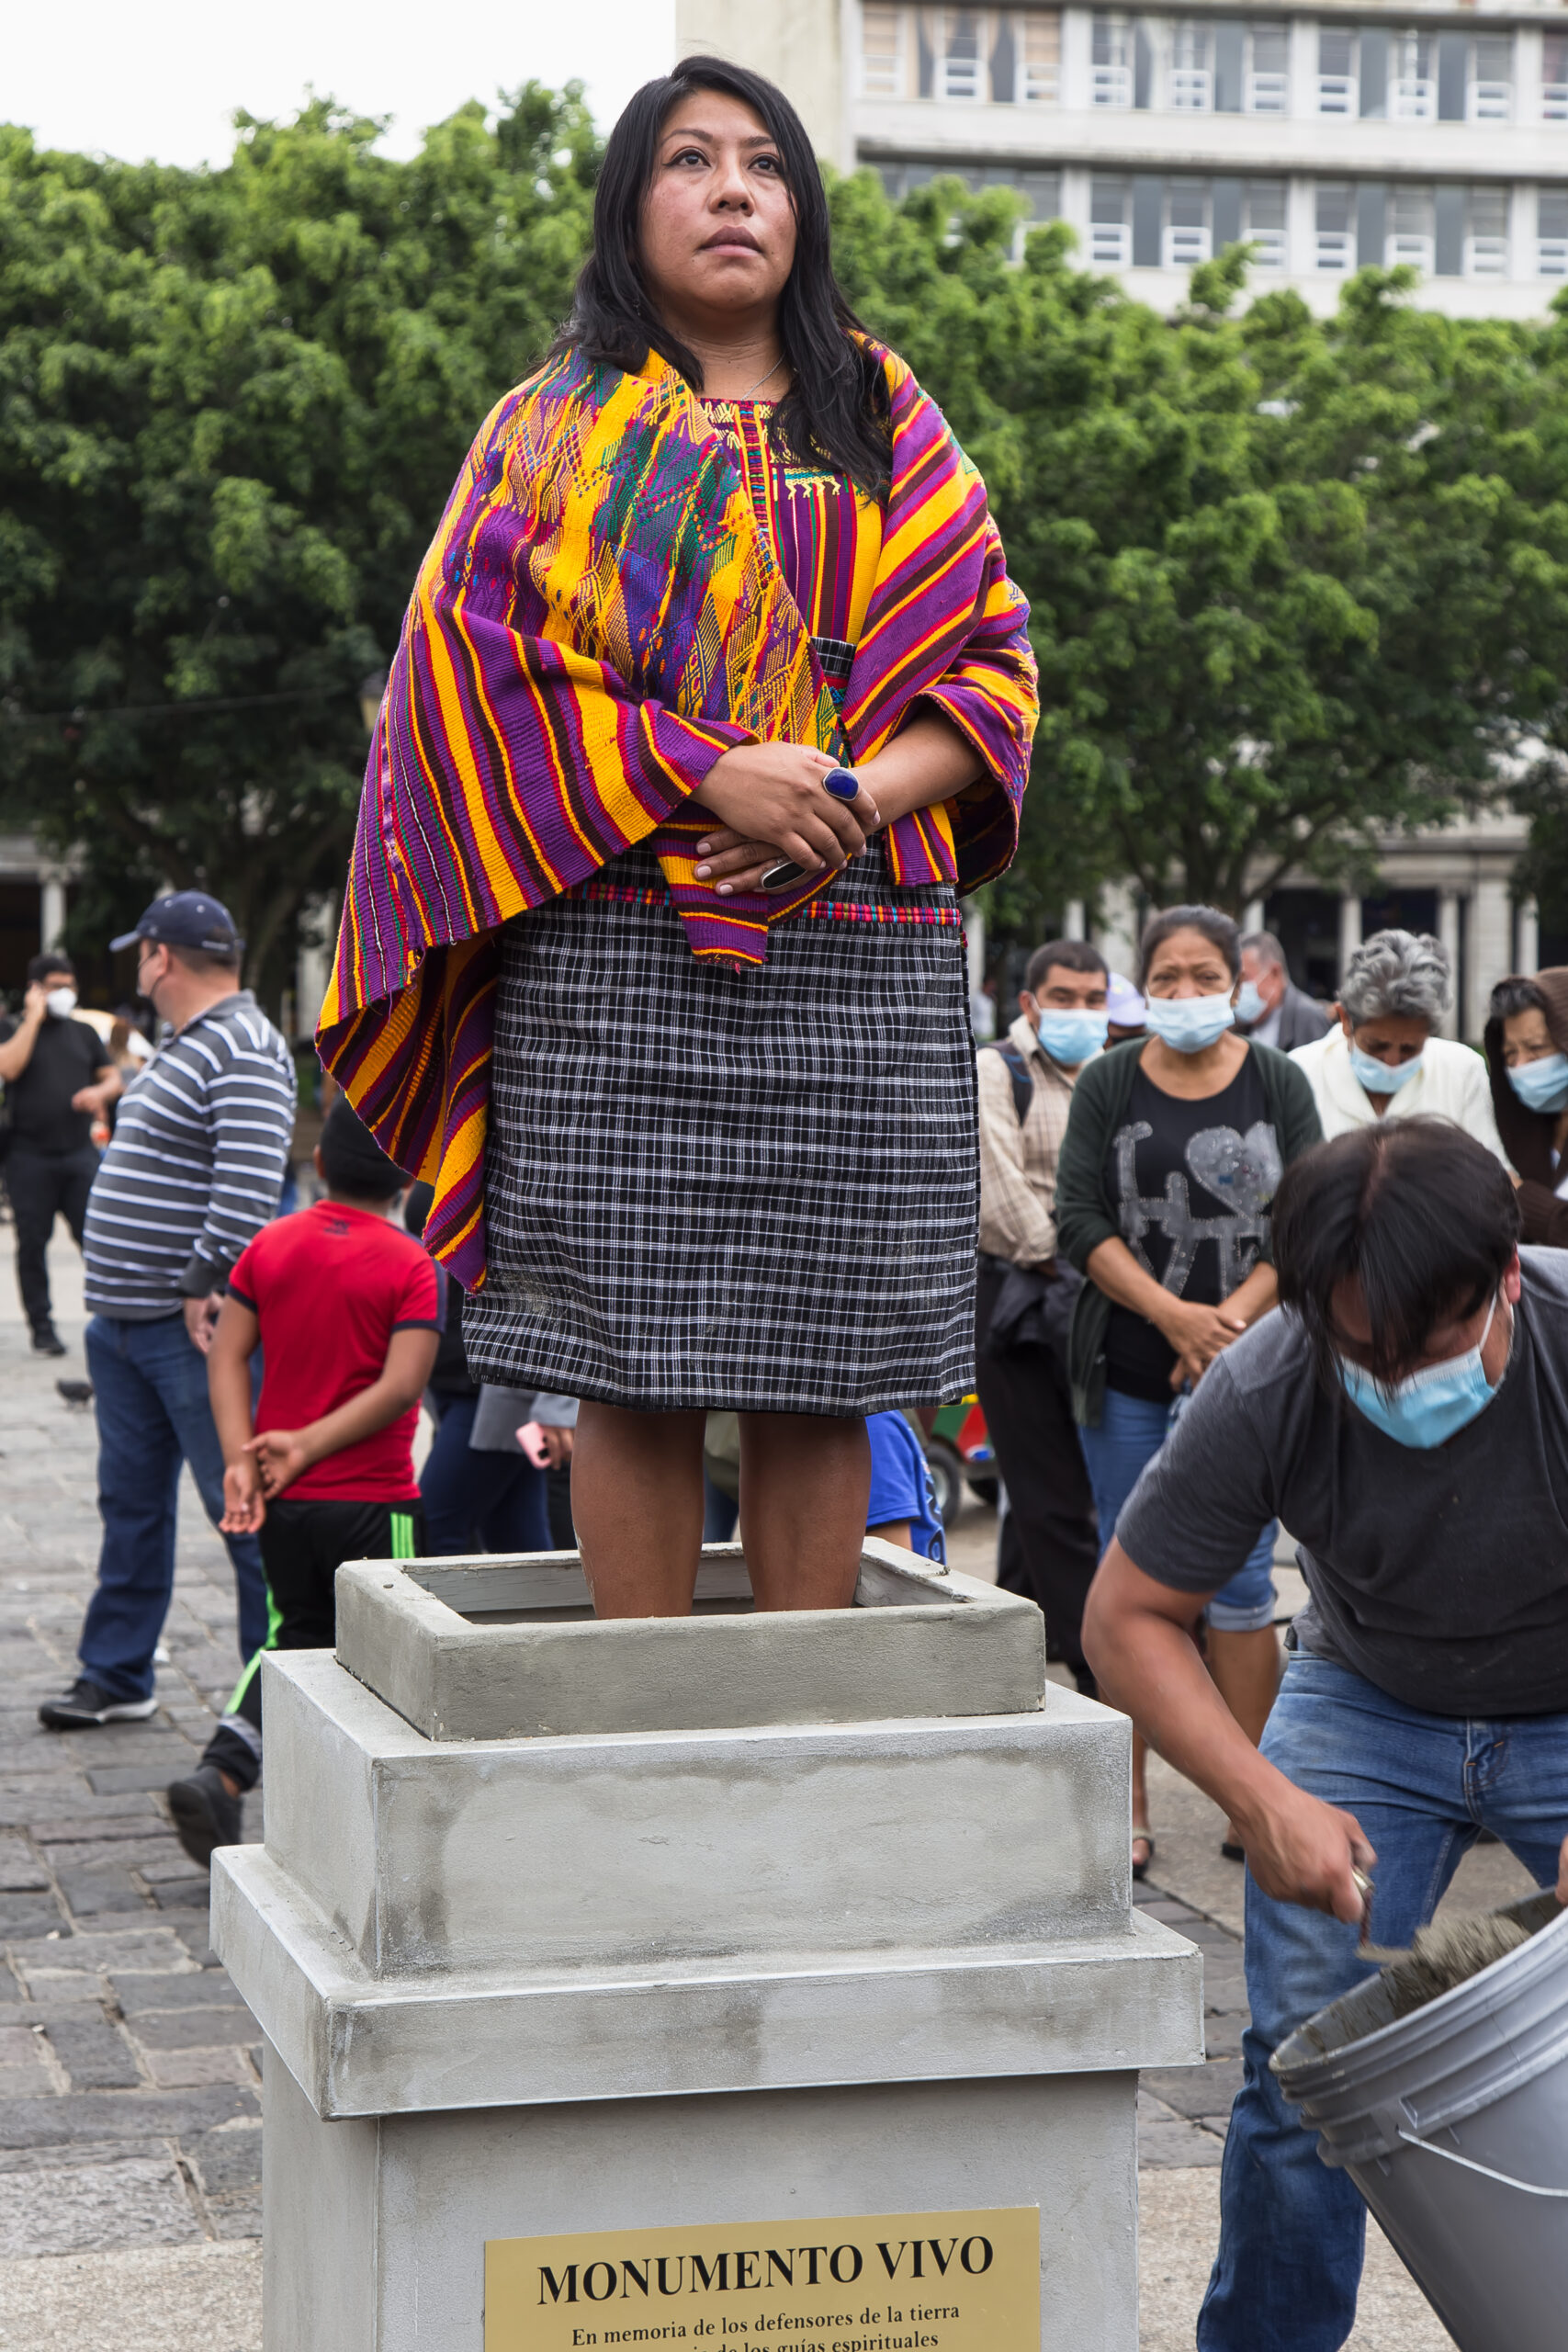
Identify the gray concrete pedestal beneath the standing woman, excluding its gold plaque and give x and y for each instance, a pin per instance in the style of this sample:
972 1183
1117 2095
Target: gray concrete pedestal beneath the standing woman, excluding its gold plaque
650 1975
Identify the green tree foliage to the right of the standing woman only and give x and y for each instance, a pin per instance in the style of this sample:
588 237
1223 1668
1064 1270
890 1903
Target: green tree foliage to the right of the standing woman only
1292 582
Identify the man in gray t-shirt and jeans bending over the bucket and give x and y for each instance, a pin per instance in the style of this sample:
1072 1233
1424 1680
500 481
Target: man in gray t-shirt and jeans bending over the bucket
1407 1417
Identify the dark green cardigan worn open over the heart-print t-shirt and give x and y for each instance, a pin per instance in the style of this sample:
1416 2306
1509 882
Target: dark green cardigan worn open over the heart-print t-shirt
1087 1215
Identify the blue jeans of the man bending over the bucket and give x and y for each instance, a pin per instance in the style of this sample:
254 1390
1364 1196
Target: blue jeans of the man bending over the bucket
1421 1786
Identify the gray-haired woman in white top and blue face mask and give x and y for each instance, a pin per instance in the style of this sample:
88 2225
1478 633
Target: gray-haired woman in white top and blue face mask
1386 1060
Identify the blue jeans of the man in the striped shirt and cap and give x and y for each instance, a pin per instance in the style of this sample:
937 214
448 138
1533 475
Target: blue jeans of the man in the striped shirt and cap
149 1387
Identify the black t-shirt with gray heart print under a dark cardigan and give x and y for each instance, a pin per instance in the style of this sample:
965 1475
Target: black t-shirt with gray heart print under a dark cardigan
1193 1187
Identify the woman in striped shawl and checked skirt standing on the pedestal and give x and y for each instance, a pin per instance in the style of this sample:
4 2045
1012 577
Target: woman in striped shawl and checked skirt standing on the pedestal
669 1005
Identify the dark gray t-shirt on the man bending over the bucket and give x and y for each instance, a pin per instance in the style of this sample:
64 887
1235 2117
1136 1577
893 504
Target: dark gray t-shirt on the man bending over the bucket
1442 1577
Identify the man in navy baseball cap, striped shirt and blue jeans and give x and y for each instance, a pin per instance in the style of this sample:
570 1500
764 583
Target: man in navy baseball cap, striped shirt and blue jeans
192 1175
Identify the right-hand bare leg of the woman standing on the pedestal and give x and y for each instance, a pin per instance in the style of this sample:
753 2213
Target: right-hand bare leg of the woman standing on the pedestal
805 1485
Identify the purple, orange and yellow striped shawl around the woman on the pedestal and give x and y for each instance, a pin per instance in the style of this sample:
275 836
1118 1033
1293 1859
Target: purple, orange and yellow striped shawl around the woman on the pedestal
601 620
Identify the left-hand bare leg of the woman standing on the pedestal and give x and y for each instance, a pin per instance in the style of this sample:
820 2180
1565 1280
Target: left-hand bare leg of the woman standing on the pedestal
638 1509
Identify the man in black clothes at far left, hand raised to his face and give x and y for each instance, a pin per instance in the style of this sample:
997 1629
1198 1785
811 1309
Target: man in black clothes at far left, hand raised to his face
58 1081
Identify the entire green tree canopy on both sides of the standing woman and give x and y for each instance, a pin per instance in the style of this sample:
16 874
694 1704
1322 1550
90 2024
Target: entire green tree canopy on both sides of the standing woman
1294 582
